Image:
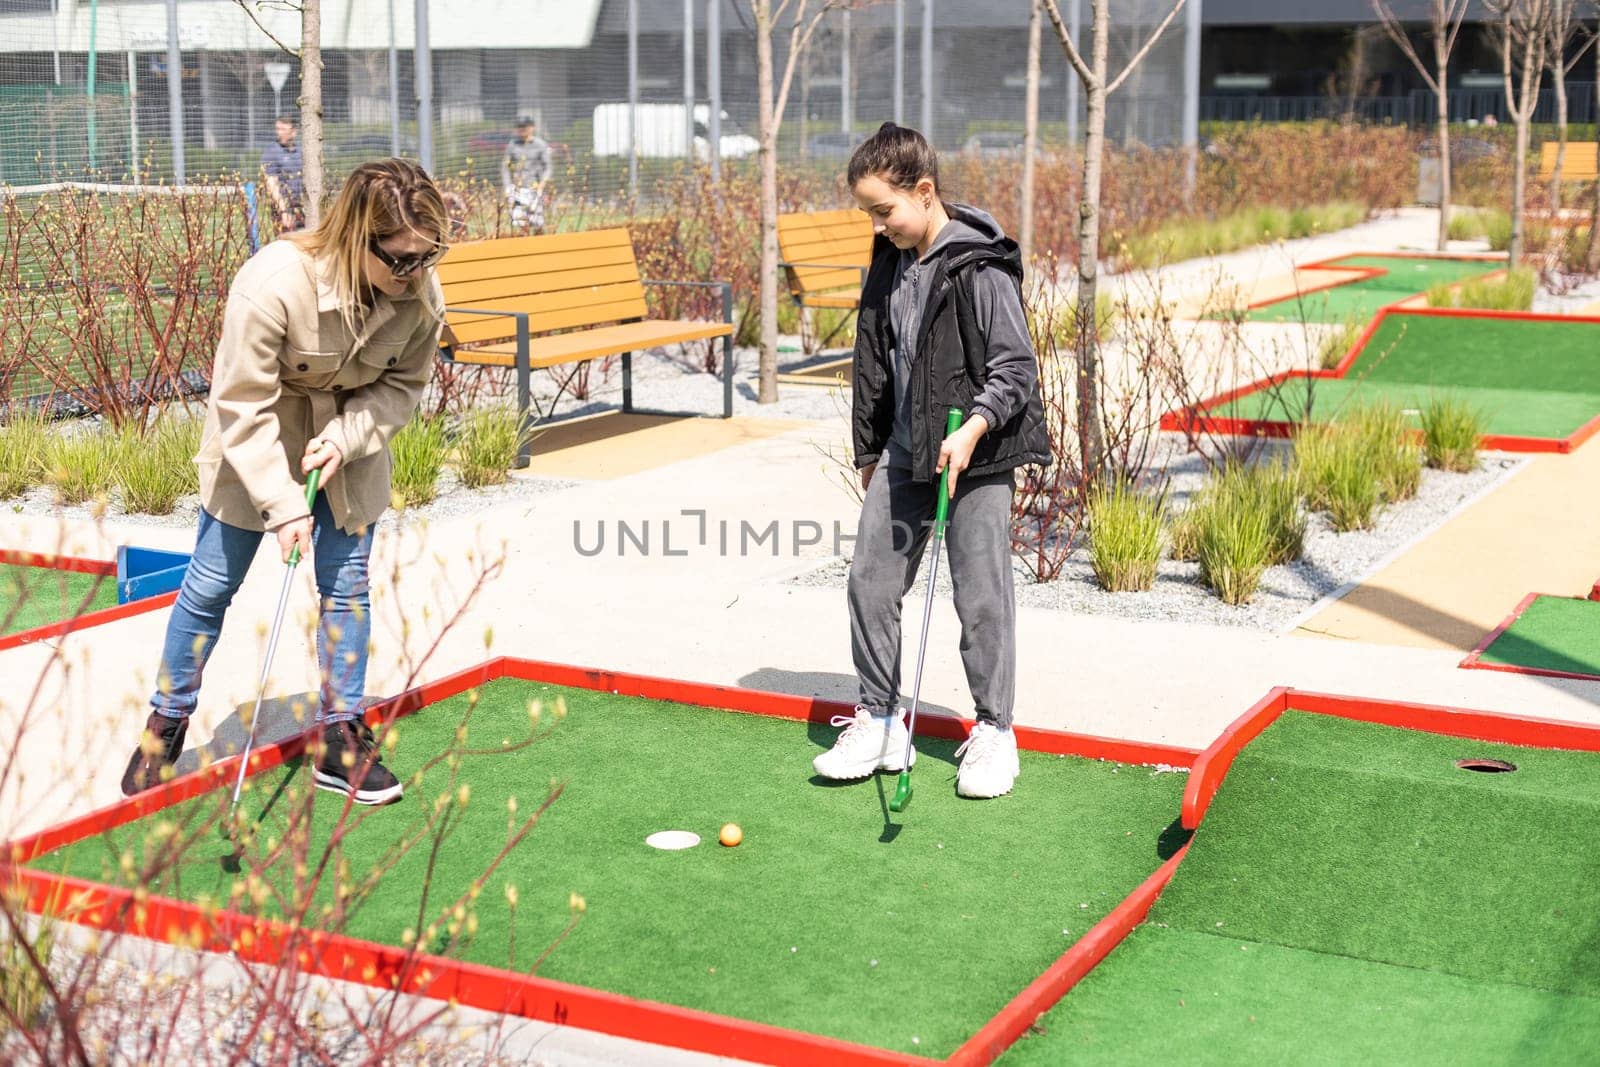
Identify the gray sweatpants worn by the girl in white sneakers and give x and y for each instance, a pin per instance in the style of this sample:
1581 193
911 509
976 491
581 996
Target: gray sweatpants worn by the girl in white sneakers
897 524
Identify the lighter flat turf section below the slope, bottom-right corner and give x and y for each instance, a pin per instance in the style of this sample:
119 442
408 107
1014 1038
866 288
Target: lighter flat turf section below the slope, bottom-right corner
1183 997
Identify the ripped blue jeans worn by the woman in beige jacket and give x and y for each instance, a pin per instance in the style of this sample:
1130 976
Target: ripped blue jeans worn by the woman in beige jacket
223 556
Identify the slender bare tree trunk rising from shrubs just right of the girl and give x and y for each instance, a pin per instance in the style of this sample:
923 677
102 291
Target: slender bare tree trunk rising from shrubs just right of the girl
1092 439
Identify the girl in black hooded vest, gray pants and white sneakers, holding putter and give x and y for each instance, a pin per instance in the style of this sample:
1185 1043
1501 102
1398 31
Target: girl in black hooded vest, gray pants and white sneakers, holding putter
942 327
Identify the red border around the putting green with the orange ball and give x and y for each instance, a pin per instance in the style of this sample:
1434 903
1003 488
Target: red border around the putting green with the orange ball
385 967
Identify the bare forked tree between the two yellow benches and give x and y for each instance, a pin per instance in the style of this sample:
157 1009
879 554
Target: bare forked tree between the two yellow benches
802 26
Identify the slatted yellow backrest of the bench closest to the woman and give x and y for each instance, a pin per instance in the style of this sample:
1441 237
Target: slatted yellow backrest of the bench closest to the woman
562 281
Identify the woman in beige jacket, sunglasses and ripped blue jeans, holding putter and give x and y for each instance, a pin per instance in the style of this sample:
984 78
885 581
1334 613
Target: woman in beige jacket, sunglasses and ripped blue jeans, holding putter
327 343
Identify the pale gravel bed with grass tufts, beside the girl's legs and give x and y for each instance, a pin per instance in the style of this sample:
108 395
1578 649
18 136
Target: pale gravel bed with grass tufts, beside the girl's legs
1332 559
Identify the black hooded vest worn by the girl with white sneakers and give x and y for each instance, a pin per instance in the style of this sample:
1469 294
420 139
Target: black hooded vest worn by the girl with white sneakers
951 364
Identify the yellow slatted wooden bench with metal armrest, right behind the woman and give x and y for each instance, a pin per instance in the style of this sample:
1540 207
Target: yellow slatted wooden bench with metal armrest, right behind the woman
564 298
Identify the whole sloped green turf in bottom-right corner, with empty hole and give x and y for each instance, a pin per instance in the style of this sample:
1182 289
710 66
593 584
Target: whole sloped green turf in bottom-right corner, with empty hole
1353 897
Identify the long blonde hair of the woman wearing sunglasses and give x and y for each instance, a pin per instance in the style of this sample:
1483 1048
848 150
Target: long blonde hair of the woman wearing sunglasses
378 201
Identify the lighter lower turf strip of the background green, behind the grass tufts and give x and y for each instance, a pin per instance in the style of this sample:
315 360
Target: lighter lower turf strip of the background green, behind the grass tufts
1508 412
